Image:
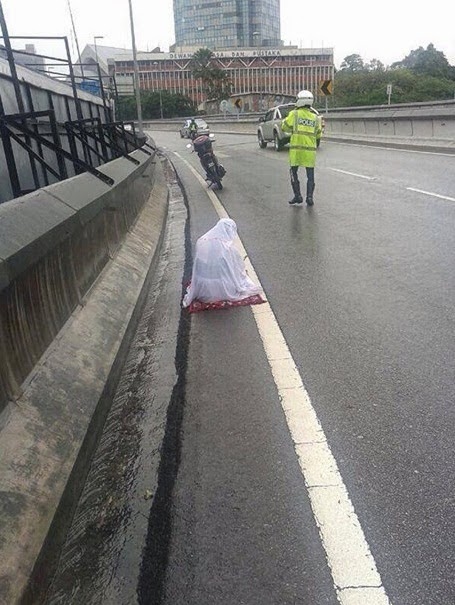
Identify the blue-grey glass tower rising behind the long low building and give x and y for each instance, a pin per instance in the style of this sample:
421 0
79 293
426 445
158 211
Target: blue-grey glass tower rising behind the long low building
217 24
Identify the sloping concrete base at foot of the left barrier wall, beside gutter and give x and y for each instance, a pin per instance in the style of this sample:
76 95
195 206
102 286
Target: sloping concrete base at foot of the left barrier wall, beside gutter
47 435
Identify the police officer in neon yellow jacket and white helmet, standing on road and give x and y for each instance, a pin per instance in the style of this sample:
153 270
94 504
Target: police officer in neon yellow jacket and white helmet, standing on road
305 128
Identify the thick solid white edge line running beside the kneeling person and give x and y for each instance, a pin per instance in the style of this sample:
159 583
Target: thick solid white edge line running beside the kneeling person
354 573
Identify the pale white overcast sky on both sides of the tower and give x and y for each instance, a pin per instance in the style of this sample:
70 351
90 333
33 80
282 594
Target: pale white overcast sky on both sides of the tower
386 30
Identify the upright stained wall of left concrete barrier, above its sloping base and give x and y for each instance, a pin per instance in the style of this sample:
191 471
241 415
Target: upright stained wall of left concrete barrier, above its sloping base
53 244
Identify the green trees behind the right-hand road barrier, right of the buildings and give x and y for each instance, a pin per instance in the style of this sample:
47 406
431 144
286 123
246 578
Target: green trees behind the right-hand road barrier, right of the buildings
424 75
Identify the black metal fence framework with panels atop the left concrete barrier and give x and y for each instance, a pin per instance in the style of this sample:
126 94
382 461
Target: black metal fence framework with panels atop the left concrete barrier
52 130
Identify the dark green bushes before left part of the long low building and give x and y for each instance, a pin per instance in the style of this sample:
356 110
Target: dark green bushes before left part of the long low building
174 105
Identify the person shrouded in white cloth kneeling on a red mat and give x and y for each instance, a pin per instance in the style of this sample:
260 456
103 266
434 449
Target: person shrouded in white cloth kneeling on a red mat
219 272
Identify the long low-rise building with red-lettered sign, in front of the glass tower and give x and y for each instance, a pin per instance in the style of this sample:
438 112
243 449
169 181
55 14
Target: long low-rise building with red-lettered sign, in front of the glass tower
279 71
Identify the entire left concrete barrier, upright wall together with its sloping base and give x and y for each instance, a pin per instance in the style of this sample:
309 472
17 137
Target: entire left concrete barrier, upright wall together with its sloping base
76 258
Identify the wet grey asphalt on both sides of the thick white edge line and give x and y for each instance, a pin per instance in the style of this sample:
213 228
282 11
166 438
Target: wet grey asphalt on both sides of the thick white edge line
363 289
